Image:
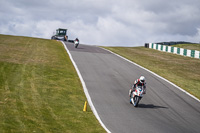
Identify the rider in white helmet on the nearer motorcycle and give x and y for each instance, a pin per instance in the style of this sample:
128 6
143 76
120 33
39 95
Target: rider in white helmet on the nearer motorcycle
138 82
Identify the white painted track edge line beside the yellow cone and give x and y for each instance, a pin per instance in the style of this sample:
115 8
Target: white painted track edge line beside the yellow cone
86 90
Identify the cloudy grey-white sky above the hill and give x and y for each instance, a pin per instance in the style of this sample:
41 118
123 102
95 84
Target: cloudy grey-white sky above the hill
104 22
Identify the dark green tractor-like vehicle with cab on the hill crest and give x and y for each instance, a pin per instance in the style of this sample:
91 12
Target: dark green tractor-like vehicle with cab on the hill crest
61 34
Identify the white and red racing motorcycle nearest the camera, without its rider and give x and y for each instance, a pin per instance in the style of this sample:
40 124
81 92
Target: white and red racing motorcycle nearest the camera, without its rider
136 96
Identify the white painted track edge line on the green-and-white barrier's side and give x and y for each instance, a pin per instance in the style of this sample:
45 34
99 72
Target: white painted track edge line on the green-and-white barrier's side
155 75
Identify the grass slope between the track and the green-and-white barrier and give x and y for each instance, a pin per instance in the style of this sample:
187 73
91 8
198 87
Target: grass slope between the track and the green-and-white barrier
180 70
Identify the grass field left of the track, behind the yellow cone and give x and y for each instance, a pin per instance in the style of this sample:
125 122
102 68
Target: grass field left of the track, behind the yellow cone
40 90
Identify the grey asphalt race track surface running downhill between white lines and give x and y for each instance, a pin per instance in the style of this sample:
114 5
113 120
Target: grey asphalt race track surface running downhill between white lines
108 79
